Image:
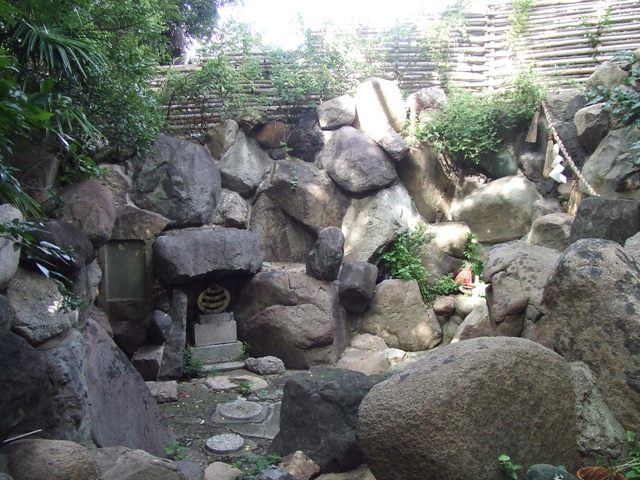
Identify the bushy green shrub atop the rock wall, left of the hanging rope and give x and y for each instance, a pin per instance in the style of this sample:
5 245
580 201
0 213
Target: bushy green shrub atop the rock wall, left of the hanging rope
468 126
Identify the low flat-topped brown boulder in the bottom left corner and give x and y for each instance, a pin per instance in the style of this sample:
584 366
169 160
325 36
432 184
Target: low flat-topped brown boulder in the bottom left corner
37 459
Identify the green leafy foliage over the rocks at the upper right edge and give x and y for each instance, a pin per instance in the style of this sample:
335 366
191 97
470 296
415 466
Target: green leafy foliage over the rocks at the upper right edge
622 102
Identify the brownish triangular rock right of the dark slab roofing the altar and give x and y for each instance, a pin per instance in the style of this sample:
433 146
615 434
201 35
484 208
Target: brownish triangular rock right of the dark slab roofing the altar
282 238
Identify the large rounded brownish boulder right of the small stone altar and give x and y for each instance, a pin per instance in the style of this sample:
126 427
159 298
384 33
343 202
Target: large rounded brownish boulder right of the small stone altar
290 315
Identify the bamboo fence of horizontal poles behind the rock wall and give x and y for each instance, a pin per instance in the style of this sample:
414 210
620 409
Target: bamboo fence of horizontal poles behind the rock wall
563 42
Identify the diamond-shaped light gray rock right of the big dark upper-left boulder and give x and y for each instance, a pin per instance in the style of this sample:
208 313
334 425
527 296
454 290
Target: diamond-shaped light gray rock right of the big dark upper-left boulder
244 166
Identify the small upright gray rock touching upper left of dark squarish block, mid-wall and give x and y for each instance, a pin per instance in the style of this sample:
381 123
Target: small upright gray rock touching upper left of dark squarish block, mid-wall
324 260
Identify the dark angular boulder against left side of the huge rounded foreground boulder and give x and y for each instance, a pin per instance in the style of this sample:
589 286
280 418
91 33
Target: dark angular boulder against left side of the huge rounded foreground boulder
319 415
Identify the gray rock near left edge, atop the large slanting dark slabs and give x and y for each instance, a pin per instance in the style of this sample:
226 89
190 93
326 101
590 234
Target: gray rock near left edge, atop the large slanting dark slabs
40 316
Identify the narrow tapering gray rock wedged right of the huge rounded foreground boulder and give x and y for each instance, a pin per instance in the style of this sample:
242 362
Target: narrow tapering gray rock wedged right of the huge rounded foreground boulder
599 433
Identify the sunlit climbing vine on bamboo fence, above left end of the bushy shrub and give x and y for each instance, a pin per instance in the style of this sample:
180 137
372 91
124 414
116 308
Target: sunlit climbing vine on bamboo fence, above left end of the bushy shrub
442 37
